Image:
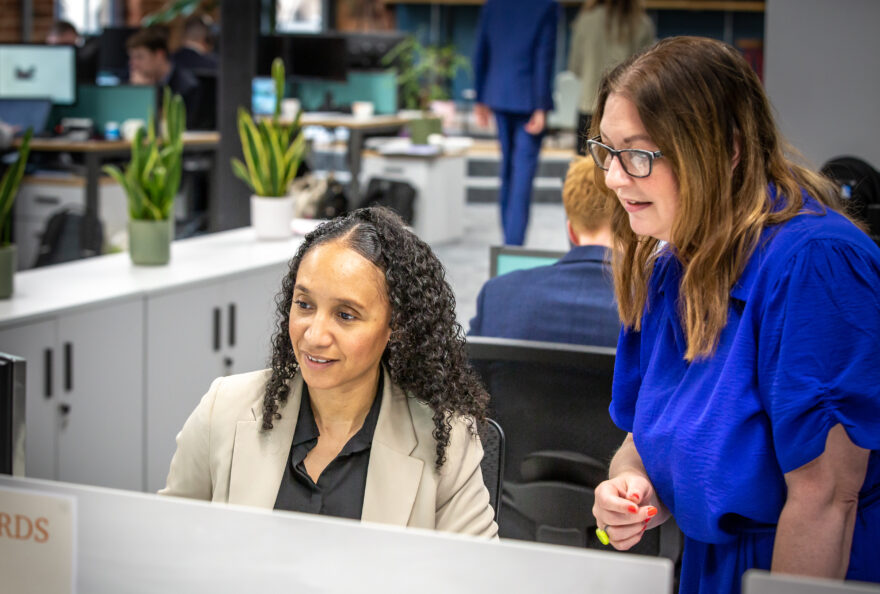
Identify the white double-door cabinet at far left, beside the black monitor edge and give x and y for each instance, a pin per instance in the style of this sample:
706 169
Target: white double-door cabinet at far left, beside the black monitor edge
84 406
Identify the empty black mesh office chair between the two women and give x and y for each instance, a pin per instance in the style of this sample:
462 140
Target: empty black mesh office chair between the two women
553 401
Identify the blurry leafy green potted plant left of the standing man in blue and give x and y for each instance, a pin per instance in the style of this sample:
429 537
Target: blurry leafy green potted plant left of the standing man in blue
424 76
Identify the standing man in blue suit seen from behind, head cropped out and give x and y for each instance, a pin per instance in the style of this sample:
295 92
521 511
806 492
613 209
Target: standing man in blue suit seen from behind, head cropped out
513 71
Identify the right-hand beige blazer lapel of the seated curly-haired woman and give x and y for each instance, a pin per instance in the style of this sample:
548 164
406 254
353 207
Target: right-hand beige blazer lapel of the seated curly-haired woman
393 477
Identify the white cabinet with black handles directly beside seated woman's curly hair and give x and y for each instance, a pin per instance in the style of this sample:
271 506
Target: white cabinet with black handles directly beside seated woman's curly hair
193 336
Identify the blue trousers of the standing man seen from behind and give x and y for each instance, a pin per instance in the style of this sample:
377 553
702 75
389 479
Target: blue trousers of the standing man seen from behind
519 161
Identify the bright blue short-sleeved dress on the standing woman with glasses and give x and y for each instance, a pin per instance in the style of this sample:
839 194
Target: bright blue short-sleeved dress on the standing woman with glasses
799 354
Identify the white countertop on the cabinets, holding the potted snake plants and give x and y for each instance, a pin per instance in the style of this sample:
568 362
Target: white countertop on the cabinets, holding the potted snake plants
59 288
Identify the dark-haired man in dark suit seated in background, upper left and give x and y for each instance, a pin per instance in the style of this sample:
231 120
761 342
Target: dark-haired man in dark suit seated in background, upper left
149 64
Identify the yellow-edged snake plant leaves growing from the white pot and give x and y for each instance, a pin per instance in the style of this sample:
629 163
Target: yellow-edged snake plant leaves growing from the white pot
272 150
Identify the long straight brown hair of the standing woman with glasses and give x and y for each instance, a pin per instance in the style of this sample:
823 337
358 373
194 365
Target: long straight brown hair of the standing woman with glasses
705 108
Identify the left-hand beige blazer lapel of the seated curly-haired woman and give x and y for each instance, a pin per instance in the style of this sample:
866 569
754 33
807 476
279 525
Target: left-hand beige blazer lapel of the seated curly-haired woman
259 457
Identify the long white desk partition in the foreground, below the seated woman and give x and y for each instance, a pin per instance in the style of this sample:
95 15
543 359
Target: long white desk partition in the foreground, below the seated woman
135 542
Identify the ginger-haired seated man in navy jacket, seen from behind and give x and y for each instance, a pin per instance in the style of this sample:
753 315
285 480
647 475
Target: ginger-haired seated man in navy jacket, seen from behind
571 301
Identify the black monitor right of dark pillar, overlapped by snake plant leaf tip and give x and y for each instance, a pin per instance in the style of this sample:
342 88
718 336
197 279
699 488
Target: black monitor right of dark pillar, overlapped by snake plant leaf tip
306 57
